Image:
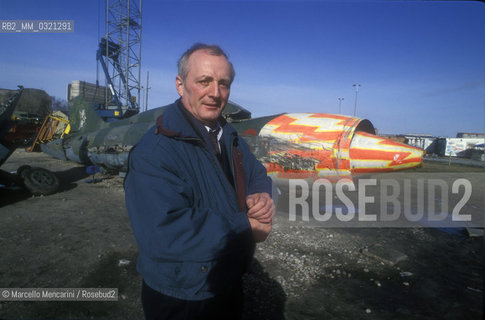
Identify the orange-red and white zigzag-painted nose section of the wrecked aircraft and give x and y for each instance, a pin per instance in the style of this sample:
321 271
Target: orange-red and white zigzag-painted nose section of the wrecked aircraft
319 145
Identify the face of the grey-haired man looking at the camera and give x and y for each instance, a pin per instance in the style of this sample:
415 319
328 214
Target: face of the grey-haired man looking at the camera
206 88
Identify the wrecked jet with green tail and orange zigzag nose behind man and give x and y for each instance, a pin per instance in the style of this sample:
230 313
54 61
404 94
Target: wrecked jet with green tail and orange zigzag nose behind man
290 145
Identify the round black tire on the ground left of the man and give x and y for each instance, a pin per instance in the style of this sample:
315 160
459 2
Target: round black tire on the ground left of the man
40 181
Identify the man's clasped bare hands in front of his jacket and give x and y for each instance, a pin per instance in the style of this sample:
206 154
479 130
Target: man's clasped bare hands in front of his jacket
260 213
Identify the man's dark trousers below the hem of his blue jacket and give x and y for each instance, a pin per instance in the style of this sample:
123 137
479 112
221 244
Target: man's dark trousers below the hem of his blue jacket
158 306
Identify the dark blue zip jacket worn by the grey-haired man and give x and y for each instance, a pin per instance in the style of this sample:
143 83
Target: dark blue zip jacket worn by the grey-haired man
189 220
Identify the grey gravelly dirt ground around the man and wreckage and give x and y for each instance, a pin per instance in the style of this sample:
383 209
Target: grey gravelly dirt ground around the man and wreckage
77 237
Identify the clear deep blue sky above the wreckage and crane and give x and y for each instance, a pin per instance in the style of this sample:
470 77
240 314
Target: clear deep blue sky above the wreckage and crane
420 64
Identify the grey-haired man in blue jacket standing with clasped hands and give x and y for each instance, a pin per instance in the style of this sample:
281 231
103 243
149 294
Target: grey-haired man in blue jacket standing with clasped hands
197 198
